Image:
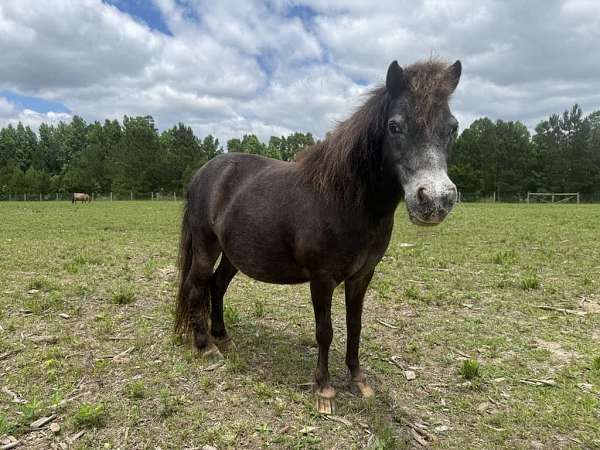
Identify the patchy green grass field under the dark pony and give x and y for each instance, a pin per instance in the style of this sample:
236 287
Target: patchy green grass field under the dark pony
86 295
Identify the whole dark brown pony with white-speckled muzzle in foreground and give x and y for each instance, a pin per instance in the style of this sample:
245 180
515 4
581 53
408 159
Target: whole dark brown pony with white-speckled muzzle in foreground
326 218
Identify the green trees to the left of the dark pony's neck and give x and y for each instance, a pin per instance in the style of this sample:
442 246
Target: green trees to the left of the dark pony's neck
117 157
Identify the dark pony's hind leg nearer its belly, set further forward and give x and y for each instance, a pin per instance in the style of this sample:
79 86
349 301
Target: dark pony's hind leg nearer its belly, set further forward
219 282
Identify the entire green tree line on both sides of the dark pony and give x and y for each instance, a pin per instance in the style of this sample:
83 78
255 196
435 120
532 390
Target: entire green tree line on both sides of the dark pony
563 155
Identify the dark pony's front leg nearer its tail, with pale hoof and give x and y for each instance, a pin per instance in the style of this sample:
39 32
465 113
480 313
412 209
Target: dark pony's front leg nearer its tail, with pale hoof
321 289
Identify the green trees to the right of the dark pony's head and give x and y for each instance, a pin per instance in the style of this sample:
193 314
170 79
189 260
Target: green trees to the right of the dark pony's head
563 155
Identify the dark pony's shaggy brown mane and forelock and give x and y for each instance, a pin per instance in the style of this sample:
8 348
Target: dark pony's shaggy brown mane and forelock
346 164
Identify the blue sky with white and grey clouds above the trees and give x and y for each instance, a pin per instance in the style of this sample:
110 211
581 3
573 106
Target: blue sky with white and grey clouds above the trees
230 68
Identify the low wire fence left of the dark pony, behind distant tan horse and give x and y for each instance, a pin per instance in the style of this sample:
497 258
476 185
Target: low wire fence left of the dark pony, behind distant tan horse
96 196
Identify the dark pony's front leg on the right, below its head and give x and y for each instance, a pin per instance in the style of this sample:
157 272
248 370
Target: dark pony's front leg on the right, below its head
355 292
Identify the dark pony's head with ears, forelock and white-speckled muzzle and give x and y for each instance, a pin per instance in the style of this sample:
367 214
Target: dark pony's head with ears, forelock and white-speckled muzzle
419 132
